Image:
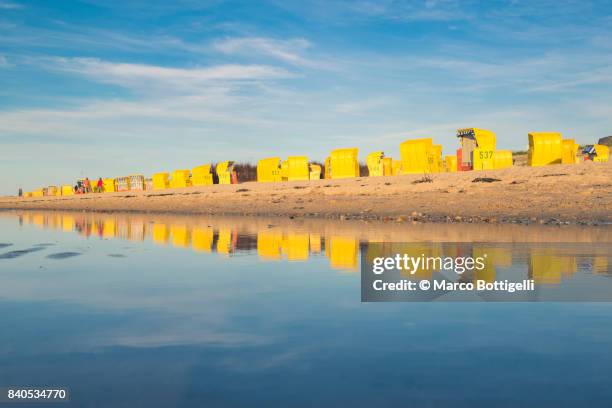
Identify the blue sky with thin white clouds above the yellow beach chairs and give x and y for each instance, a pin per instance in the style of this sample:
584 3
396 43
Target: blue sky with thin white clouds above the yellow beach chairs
107 88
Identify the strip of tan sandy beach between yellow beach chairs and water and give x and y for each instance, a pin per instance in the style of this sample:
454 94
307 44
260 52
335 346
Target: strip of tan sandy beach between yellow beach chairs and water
559 194
